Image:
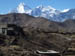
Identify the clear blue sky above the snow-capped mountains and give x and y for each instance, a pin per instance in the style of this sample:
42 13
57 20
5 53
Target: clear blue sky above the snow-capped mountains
7 5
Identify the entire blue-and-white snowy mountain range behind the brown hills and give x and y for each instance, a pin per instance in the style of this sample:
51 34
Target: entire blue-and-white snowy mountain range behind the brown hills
46 11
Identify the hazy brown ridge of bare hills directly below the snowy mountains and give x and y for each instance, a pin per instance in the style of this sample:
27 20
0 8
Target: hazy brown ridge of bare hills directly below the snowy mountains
41 23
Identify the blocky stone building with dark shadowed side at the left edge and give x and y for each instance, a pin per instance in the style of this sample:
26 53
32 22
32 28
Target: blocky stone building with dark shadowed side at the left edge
9 29
